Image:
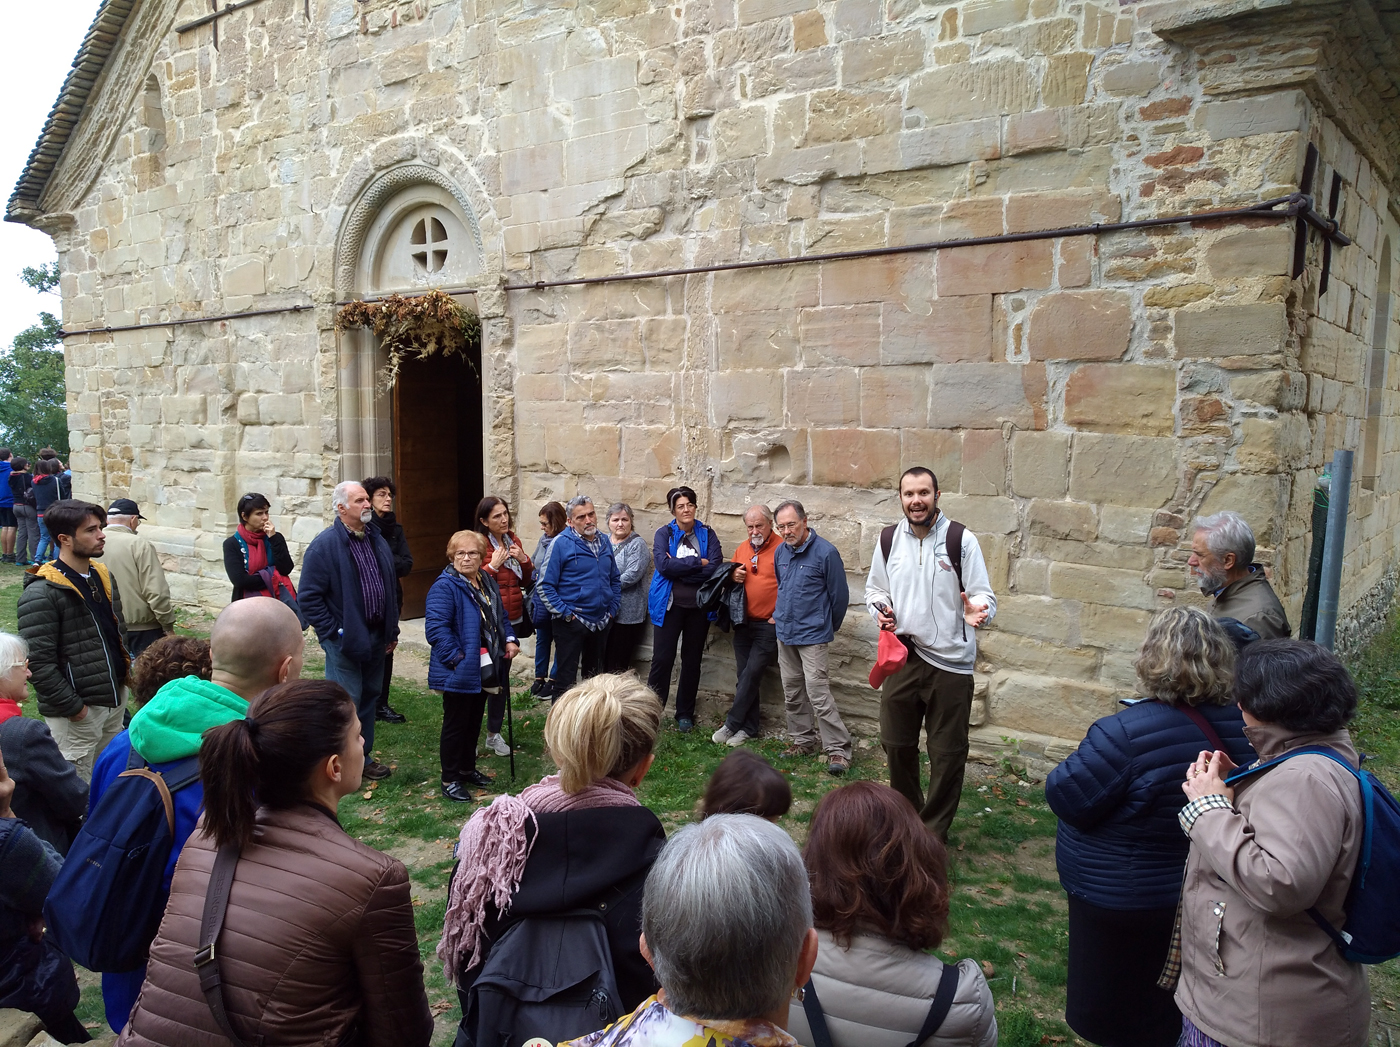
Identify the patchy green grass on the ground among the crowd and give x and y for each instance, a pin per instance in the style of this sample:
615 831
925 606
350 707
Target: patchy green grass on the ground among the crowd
1009 909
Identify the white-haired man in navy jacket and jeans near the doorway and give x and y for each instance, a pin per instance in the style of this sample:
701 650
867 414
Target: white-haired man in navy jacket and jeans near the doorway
348 596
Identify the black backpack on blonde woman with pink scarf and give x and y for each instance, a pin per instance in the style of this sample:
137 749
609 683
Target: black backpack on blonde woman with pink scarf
547 976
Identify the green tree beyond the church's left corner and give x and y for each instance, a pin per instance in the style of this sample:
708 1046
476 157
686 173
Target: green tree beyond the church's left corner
33 394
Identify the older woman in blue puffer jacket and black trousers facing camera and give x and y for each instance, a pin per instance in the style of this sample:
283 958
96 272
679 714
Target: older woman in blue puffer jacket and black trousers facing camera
471 636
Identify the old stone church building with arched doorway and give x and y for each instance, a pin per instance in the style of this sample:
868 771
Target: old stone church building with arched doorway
218 177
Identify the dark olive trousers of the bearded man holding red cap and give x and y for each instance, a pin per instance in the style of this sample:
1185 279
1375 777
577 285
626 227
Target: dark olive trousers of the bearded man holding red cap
940 702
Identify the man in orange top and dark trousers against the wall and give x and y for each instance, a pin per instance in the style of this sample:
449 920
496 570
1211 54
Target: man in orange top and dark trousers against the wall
757 638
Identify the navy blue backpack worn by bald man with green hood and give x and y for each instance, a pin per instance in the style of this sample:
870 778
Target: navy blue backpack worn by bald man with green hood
108 899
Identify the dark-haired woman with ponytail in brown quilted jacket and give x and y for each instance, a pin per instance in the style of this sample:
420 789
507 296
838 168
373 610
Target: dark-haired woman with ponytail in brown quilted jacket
318 941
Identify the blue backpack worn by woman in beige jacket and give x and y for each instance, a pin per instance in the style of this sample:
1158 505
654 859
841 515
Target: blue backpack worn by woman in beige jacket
1373 929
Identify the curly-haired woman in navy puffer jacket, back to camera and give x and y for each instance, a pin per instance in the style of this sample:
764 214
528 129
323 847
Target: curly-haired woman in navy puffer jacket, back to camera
1119 848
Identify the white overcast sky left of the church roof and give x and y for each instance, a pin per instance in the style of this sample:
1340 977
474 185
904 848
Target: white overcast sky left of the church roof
36 55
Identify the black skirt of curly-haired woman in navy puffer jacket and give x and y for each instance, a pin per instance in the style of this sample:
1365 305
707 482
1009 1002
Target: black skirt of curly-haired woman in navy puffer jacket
1116 957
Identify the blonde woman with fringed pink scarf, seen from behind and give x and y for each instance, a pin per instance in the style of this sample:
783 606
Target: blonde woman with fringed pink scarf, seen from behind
579 839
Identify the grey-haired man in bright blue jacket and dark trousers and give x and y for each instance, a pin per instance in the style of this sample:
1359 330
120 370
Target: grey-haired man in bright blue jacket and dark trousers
582 590
